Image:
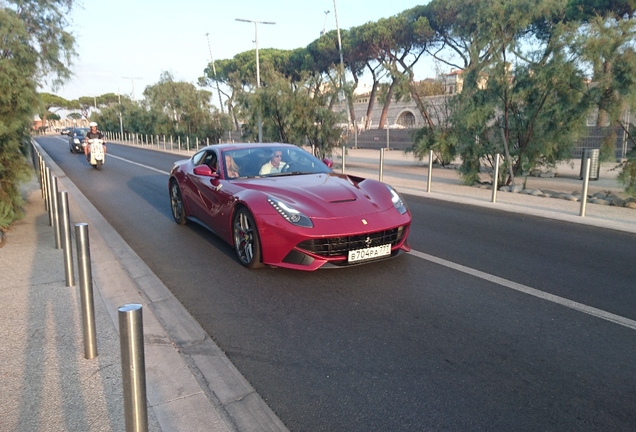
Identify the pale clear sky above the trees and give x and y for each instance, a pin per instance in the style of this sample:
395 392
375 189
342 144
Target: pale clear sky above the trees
124 45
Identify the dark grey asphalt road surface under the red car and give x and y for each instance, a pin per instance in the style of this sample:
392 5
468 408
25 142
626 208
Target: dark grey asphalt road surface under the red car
406 344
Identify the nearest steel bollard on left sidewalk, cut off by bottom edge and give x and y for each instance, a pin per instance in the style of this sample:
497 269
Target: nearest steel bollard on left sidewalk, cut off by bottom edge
133 367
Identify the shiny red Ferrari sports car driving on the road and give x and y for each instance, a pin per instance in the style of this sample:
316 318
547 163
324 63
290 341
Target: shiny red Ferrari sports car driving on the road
278 205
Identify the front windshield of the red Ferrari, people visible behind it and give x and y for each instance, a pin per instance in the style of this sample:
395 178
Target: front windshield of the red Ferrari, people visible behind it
271 161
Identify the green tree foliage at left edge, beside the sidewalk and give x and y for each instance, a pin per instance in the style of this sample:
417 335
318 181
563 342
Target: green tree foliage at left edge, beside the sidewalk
34 46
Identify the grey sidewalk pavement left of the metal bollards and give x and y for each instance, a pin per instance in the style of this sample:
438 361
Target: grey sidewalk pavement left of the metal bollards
45 382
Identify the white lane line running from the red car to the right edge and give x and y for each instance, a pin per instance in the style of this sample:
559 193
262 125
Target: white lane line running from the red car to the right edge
626 322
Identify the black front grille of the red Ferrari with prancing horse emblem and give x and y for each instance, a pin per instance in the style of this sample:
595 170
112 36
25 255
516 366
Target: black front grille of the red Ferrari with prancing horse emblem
330 247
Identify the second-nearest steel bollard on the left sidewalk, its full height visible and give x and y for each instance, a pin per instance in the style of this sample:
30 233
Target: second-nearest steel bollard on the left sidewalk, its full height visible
86 290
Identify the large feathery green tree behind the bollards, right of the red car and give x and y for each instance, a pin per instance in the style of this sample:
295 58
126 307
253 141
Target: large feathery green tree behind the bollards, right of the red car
533 87
